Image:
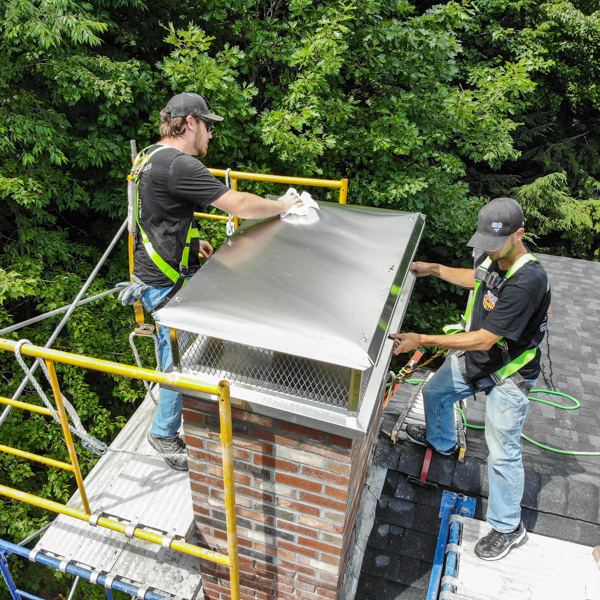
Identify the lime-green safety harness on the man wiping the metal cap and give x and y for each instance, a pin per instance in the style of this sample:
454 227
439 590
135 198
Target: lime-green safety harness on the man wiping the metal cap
177 277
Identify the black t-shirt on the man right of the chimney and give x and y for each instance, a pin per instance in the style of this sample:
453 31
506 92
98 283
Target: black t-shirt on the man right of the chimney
518 312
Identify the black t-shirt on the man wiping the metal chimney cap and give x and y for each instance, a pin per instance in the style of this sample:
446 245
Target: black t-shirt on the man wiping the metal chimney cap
172 186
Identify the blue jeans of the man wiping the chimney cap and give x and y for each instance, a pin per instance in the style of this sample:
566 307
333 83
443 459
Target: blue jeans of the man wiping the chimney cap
168 413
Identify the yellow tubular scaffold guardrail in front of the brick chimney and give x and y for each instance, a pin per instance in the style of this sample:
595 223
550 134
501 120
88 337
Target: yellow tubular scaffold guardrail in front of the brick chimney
181 381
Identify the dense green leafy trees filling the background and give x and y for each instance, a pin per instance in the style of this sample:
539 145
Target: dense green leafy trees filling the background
424 106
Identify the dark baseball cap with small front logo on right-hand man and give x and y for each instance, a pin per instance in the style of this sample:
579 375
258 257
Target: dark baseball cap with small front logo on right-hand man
497 220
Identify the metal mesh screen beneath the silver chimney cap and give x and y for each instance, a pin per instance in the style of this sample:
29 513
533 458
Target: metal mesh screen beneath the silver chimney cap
264 369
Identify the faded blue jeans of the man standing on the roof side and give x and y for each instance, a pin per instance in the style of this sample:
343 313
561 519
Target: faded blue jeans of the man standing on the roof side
505 413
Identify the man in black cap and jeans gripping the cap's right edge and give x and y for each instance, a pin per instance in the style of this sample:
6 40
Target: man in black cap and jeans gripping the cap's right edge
498 354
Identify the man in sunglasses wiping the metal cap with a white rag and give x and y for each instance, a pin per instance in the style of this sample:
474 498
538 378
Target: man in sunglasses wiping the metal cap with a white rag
172 186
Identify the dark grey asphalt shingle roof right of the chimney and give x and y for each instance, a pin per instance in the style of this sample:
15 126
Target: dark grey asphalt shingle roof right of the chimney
561 499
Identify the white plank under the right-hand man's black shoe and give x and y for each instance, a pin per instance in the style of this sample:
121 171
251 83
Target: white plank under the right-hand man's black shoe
542 569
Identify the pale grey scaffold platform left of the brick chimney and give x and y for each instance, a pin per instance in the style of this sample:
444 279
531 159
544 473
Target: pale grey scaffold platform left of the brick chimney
143 489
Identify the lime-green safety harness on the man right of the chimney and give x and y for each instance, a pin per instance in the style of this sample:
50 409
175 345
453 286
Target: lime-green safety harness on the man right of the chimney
511 366
